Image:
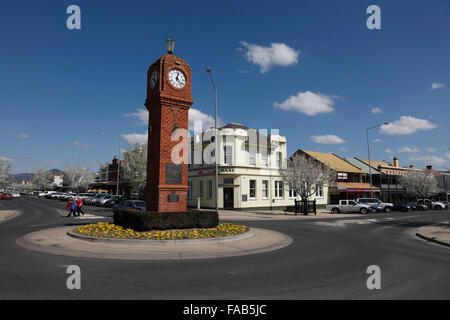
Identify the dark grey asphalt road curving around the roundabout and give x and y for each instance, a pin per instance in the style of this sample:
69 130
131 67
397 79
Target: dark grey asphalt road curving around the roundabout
327 260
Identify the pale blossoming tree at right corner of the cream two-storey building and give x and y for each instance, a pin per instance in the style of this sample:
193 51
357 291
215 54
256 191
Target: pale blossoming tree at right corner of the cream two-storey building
306 175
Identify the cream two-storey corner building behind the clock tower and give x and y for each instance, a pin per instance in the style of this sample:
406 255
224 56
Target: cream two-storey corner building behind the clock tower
248 169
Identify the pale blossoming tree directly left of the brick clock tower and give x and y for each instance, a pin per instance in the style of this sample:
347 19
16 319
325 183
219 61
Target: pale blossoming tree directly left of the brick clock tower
135 167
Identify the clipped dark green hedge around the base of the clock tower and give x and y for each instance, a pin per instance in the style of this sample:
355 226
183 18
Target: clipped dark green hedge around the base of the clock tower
146 220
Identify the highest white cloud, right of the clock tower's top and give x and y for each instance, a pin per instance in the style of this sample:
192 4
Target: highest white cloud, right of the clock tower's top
278 54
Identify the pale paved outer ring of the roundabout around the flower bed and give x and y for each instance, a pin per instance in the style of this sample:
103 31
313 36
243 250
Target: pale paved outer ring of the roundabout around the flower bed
64 241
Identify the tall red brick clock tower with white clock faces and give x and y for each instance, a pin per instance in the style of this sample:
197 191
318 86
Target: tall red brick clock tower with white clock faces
168 102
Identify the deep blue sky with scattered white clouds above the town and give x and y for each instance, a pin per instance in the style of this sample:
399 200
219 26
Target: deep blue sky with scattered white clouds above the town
311 69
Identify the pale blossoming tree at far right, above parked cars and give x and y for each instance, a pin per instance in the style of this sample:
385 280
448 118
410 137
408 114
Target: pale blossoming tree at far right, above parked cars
421 184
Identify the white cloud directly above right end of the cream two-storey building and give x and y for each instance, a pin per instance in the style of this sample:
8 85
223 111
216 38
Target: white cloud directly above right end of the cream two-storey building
308 103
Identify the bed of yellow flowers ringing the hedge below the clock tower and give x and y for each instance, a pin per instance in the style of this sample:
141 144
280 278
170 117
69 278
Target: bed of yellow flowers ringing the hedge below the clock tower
109 230
